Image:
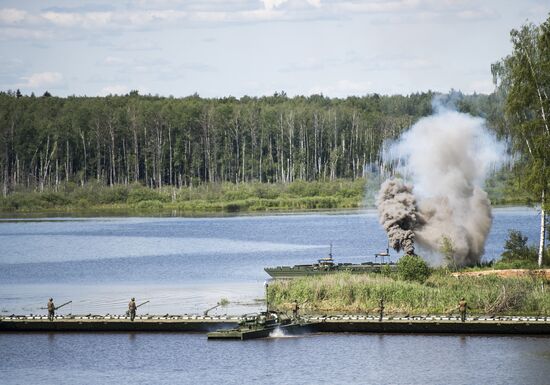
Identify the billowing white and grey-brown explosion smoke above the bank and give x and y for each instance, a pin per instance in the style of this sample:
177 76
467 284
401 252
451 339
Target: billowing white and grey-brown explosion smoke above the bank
446 157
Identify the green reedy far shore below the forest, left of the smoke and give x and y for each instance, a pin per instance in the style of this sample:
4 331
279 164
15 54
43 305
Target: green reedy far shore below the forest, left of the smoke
224 197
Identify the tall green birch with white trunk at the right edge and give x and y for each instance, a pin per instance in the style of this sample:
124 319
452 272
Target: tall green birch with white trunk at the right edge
523 78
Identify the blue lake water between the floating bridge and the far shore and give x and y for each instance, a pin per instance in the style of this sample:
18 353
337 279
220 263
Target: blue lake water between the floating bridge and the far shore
184 265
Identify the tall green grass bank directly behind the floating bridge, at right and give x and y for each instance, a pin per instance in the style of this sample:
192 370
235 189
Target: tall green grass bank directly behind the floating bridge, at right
438 295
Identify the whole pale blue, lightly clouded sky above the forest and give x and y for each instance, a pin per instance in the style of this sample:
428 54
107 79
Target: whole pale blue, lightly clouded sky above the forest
219 48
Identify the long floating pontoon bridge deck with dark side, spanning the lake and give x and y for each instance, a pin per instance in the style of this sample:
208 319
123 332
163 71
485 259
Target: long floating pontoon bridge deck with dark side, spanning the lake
318 324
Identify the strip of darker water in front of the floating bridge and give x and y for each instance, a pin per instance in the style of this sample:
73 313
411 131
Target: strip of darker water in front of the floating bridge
316 359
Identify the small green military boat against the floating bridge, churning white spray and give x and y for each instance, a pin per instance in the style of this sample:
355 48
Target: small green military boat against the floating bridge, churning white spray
260 325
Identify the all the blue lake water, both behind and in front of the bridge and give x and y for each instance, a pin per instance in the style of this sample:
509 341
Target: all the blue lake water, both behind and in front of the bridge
185 265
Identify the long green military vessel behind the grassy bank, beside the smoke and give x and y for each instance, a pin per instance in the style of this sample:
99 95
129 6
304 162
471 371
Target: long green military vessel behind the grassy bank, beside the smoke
327 265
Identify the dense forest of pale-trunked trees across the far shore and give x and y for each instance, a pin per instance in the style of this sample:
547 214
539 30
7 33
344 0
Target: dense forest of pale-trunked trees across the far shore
157 141
